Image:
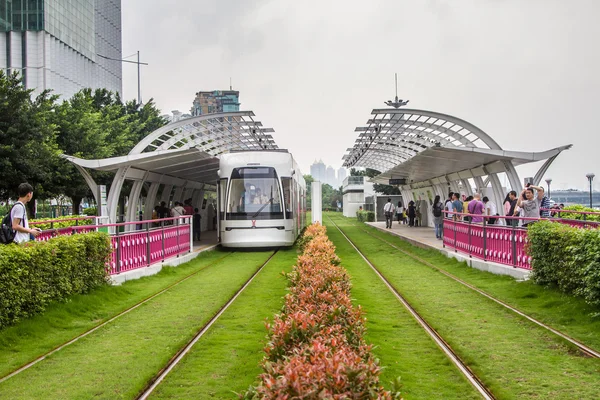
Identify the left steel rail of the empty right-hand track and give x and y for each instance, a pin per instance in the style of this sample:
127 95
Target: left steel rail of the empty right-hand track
437 338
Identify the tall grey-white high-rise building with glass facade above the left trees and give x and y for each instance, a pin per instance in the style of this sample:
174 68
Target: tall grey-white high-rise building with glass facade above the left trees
58 45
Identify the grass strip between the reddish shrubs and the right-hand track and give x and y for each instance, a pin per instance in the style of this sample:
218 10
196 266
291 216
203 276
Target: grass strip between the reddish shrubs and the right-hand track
402 346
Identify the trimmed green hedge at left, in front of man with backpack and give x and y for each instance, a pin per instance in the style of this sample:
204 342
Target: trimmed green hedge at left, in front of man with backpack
34 274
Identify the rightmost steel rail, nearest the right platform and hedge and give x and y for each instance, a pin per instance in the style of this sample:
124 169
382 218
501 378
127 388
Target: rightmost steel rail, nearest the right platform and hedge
582 347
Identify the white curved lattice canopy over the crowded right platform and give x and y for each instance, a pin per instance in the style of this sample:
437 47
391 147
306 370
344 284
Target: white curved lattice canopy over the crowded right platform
418 147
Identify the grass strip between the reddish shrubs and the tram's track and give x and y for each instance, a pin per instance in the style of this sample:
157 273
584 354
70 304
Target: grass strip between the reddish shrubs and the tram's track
226 360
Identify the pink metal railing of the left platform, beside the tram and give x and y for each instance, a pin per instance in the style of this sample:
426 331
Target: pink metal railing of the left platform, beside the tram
147 243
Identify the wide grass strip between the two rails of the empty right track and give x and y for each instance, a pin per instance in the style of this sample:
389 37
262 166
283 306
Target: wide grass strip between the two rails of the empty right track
515 358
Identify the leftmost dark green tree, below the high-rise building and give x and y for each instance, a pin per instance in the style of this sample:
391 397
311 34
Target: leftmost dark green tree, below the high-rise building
28 149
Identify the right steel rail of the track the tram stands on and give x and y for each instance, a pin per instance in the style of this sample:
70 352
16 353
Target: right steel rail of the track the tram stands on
160 376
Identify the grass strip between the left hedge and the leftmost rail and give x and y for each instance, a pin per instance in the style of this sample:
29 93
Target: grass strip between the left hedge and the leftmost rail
33 337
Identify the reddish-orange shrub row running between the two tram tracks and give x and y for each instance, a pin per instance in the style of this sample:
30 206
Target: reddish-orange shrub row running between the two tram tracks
316 347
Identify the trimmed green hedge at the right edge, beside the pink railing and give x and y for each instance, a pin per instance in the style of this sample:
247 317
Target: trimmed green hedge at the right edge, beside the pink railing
566 257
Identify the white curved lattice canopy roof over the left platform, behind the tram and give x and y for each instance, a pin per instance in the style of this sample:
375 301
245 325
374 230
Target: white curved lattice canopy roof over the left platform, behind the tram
186 151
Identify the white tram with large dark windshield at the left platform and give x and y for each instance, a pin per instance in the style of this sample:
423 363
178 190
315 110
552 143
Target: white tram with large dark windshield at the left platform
261 199
